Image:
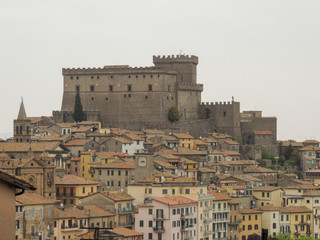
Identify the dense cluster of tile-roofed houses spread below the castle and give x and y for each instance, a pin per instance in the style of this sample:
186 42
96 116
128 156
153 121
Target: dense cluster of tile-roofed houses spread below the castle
150 184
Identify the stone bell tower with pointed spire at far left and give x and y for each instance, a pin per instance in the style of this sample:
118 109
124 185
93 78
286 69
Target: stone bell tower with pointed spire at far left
22 126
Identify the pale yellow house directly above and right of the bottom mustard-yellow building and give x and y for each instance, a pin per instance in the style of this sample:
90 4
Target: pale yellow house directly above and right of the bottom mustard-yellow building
268 195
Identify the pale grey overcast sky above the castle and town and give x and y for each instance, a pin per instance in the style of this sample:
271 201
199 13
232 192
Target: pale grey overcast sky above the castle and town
264 53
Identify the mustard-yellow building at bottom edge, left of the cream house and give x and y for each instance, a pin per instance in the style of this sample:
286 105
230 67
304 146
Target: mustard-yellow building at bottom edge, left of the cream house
251 223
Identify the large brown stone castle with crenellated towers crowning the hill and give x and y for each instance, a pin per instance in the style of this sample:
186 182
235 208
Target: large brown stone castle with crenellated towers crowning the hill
136 98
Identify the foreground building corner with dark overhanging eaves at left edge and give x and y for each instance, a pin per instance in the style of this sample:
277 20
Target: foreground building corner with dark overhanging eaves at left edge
9 186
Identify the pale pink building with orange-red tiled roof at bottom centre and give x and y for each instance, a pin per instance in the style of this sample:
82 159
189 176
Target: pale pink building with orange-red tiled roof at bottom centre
169 217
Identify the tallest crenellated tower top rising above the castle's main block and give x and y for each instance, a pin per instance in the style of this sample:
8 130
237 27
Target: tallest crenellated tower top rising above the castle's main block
185 65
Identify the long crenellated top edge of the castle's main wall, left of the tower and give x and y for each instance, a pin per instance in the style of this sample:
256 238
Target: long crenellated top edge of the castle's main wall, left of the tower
116 69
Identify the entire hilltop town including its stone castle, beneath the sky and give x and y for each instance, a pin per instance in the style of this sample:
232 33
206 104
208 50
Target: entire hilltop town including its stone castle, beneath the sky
128 172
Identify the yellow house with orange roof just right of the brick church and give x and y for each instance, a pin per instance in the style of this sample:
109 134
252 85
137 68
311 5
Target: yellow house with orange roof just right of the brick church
71 188
